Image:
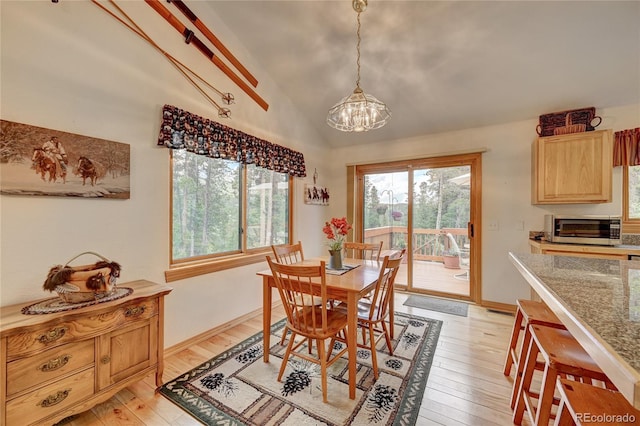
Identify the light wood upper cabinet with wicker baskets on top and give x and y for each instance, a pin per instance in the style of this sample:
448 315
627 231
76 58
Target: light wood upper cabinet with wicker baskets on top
574 168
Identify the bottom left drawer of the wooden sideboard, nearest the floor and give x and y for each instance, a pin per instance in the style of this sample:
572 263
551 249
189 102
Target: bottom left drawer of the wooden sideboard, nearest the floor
48 400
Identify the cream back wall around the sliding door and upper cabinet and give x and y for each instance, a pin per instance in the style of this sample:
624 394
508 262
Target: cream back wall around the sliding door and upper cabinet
506 188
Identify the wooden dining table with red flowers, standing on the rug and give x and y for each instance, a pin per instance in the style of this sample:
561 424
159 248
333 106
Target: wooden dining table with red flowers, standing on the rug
348 285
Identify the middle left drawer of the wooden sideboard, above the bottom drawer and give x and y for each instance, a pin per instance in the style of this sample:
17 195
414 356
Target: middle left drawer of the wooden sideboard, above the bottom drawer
56 362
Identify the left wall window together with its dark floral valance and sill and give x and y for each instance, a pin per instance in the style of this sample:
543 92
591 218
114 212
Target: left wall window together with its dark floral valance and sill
230 194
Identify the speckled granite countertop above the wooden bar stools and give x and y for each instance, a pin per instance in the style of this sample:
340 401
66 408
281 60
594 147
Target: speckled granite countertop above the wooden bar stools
598 300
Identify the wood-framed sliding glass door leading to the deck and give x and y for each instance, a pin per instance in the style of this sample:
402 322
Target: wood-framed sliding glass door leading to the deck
426 208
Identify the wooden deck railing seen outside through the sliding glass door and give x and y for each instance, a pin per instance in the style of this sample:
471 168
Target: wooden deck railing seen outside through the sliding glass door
427 244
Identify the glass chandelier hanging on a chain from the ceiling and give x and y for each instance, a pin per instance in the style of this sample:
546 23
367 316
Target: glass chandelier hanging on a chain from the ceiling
359 111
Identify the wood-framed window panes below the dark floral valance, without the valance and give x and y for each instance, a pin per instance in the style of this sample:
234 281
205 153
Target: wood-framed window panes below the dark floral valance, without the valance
223 209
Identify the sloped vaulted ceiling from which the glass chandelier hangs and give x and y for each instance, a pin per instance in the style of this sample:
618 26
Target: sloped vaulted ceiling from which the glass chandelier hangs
443 65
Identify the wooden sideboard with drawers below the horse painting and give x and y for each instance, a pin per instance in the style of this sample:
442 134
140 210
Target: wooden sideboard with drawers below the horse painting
57 364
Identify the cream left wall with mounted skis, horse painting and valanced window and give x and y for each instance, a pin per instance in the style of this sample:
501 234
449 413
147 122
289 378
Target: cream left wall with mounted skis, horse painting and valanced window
71 67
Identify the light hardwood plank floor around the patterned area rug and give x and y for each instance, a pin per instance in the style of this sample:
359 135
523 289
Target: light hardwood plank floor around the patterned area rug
465 386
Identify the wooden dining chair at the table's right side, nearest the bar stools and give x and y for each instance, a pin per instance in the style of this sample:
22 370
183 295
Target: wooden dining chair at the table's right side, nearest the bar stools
373 314
